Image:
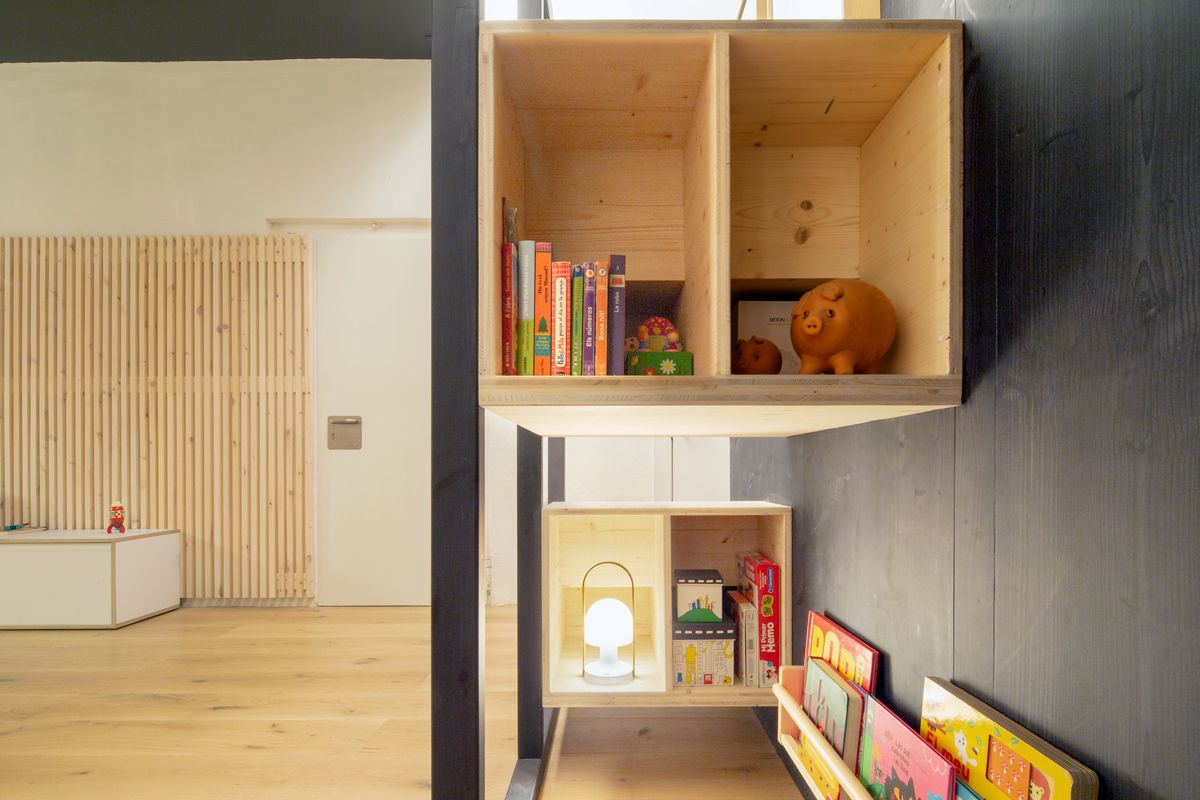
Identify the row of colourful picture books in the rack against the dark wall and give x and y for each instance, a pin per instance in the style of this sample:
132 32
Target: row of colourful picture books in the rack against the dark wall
965 749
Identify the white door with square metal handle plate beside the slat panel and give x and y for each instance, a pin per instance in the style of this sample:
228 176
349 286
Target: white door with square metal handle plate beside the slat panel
371 360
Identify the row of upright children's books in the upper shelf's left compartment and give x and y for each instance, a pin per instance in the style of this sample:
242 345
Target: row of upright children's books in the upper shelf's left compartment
560 318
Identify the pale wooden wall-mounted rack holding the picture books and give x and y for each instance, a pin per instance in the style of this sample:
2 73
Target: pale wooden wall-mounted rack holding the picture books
815 759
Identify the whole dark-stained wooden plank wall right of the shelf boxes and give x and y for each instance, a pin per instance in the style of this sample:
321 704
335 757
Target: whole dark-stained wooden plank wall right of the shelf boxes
1041 545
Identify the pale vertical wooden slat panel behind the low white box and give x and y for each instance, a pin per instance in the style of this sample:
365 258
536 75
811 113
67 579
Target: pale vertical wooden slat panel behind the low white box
172 374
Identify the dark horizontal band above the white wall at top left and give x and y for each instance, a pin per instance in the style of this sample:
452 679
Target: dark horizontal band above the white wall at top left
213 31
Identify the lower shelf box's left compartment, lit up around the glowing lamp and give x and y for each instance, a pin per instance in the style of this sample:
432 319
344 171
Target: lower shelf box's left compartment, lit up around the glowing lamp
573 544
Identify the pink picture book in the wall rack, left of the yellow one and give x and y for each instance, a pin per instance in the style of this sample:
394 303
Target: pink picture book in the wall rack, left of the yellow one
896 763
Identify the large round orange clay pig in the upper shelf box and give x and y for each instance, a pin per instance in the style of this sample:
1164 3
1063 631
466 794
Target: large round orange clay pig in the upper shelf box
843 327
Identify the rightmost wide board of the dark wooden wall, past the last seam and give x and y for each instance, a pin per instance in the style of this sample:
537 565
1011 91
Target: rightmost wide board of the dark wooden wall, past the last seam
1097 470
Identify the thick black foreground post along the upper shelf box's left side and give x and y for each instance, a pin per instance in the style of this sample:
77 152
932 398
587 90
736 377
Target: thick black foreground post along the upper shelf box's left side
458 648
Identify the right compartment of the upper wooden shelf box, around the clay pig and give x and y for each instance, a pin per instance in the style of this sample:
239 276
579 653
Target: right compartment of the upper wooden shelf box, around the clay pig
845 165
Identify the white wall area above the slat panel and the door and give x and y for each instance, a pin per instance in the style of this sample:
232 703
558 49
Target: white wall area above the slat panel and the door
211 147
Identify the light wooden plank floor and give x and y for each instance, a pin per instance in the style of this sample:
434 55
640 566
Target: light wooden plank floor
301 705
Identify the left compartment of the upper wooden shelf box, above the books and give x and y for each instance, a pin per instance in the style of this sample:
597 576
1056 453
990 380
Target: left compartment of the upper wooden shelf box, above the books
607 143
